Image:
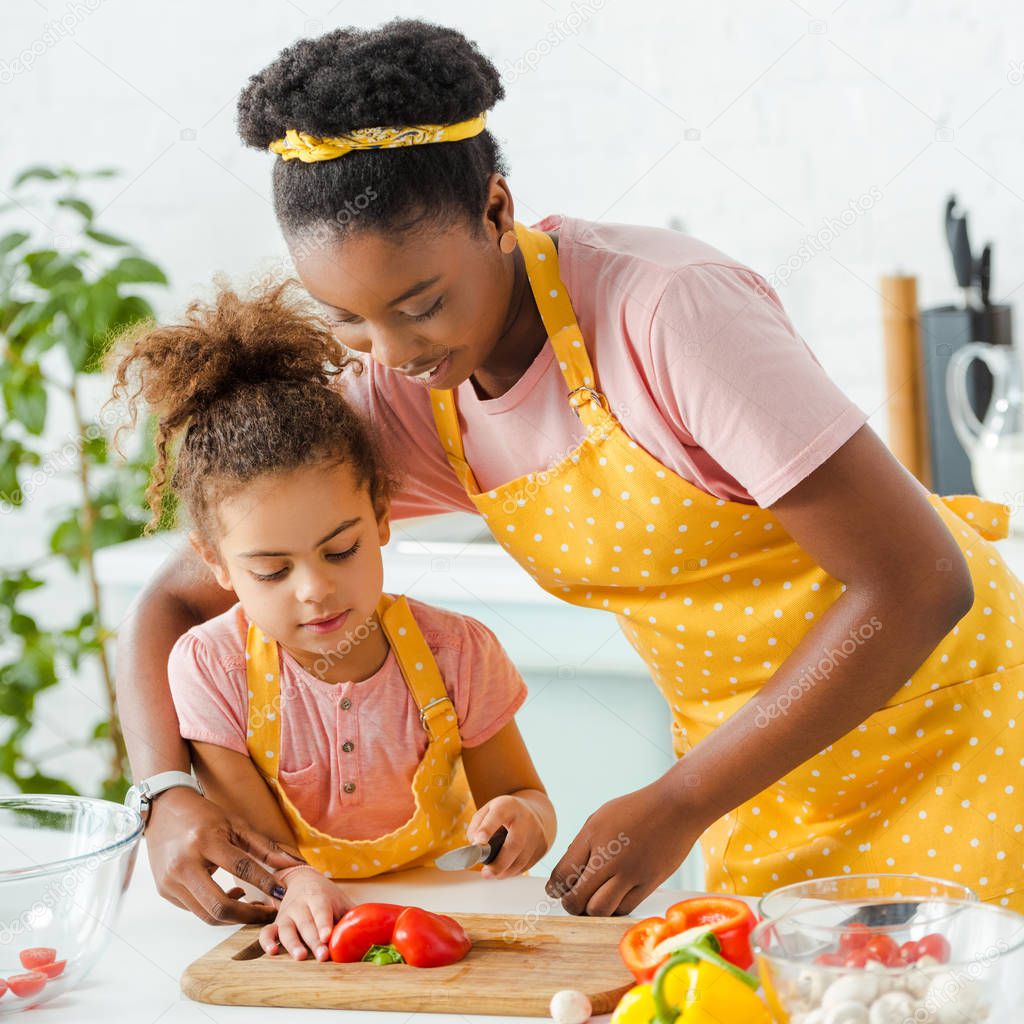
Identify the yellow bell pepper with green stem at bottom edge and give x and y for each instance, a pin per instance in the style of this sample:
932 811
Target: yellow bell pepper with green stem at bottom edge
695 987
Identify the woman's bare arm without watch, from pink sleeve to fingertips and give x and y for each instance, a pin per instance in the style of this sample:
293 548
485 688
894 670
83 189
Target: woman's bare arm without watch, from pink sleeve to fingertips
869 524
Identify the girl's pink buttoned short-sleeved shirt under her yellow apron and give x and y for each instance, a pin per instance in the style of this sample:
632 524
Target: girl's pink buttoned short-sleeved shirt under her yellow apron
207 670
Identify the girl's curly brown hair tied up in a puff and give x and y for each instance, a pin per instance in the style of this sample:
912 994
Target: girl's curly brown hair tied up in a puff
241 389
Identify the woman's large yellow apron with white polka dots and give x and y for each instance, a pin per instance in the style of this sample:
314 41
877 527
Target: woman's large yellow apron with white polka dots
715 595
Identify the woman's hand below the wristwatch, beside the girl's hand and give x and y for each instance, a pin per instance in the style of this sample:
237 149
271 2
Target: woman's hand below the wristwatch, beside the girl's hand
189 837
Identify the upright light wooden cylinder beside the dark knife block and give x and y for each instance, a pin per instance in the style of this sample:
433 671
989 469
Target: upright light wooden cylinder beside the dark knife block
906 403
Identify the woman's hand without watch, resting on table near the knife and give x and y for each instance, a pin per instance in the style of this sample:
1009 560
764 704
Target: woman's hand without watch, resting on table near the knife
625 851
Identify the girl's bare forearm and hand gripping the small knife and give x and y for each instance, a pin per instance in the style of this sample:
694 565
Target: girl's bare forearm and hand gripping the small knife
508 792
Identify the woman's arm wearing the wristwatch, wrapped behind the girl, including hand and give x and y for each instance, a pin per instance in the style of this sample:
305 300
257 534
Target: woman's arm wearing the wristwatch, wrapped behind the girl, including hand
187 836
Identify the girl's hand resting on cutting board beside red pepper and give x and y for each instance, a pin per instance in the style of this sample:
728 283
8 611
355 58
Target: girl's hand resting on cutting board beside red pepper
312 906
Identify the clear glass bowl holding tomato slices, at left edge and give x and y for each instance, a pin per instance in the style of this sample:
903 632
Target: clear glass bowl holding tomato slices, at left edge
65 865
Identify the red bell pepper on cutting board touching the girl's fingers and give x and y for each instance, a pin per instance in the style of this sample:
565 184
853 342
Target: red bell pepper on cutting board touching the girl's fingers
386 933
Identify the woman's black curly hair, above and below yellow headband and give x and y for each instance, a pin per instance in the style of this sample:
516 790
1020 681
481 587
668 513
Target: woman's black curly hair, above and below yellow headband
406 72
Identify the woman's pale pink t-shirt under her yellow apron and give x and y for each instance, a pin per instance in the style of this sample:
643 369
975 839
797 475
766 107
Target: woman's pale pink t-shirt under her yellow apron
694 352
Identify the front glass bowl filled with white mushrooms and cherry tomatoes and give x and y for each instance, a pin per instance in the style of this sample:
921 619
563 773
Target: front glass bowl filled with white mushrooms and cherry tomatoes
978 978
